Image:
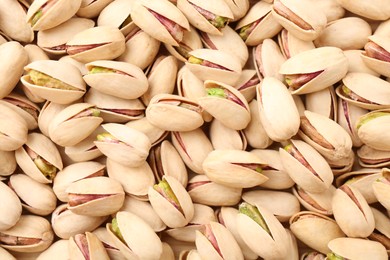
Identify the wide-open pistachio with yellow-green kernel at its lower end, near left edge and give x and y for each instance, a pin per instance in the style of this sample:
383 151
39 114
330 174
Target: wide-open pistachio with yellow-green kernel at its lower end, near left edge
39 158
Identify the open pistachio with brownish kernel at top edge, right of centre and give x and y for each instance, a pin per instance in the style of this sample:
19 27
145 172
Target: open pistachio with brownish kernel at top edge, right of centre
261 22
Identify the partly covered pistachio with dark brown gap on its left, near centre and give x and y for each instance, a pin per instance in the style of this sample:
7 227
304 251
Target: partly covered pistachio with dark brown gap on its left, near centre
164 159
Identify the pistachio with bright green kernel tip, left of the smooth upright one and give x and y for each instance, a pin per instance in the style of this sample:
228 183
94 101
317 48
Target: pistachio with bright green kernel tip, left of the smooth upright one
230 107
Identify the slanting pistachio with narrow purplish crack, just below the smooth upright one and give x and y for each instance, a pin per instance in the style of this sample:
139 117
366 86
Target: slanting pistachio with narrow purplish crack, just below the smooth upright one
317 180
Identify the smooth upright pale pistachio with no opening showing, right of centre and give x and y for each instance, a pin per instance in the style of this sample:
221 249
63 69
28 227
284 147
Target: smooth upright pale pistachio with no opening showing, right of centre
278 112
